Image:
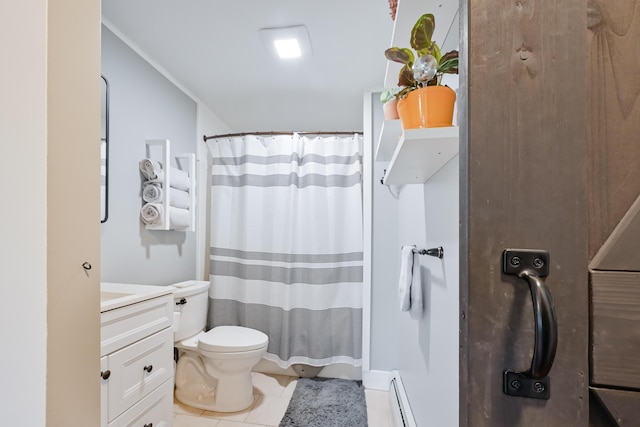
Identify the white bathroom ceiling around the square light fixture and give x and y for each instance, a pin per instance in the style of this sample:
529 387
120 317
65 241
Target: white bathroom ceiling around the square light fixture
214 51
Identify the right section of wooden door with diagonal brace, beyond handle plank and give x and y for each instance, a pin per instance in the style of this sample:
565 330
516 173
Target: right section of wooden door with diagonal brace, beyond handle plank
614 210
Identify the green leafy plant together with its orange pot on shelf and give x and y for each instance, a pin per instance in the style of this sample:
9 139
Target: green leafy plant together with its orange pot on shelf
422 100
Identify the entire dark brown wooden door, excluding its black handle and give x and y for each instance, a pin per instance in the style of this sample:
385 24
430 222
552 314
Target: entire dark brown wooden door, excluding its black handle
550 159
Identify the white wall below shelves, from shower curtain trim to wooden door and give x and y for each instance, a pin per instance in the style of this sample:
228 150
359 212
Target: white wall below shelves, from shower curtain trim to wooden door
424 351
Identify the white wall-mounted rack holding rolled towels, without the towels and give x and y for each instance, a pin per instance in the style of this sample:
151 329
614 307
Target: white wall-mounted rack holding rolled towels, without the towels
160 150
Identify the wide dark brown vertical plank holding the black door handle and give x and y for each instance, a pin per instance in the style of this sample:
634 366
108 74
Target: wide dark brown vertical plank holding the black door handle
524 182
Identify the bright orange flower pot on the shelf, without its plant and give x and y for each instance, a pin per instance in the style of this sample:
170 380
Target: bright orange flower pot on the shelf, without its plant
427 107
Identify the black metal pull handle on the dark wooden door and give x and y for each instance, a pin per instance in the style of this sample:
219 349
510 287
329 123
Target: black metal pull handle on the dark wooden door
533 265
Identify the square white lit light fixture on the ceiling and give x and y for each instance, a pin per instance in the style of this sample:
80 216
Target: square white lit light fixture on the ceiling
286 42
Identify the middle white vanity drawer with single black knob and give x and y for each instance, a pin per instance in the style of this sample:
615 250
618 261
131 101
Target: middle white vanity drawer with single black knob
139 369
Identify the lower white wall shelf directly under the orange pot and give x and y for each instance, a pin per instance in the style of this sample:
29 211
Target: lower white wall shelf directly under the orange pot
421 153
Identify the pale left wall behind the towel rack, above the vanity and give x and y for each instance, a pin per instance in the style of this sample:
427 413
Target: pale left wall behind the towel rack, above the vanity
143 105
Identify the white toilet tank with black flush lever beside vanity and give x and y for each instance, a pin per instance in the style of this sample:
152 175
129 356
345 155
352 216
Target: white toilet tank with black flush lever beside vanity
190 309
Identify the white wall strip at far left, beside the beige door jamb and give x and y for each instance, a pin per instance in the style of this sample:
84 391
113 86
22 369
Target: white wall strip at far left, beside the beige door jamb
23 251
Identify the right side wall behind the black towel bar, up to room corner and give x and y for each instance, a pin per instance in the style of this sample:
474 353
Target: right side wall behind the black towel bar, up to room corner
428 347
